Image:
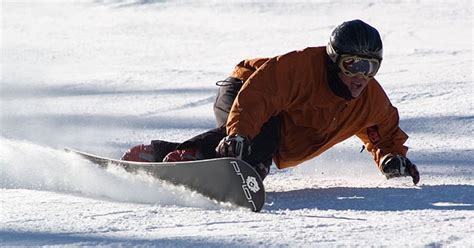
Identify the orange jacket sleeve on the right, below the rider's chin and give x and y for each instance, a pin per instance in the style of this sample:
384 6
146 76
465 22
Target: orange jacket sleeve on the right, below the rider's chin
385 136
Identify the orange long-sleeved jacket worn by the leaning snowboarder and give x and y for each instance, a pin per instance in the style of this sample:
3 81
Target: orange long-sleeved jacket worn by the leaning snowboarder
314 119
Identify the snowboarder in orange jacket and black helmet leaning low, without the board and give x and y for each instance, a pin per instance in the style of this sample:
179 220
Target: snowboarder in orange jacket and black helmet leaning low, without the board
293 107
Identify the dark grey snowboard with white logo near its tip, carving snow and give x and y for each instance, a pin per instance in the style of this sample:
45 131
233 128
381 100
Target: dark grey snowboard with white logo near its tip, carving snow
221 179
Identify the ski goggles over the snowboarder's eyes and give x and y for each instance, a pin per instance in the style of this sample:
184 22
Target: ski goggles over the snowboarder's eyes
352 66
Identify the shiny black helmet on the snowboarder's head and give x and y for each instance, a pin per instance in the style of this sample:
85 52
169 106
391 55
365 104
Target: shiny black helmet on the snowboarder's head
355 38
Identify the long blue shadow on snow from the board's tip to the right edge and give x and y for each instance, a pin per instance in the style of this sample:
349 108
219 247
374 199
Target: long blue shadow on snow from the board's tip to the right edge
437 197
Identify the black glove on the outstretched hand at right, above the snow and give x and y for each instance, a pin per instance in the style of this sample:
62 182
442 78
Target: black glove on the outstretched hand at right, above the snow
397 166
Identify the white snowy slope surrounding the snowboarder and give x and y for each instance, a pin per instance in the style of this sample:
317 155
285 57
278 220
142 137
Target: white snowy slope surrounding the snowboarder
102 76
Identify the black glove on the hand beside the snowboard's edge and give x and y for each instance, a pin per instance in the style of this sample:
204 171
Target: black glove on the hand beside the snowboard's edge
236 145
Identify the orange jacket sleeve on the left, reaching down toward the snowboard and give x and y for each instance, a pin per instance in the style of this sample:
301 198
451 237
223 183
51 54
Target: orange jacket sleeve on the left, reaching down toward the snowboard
264 94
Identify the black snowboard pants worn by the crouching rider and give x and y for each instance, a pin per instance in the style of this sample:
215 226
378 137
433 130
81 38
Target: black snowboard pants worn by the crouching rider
263 146
